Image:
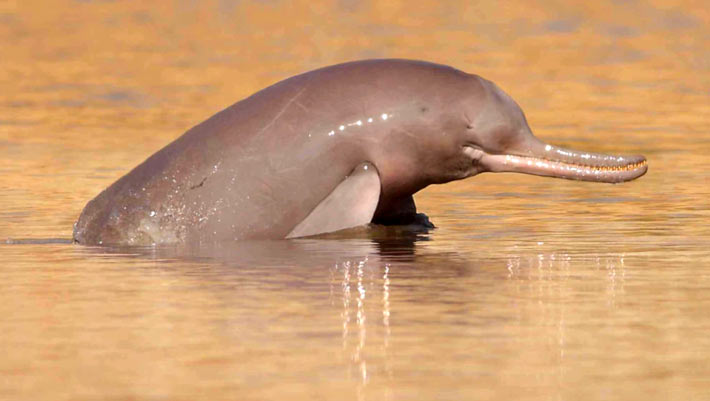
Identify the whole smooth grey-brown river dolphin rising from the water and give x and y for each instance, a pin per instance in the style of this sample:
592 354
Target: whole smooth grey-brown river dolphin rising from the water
330 149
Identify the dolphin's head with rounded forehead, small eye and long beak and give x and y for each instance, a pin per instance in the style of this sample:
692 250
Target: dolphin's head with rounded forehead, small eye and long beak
491 135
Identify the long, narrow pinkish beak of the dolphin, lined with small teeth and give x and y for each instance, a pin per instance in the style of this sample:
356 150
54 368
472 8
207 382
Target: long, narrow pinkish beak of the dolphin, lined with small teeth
569 164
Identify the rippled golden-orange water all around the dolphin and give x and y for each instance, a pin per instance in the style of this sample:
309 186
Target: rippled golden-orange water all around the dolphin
531 288
